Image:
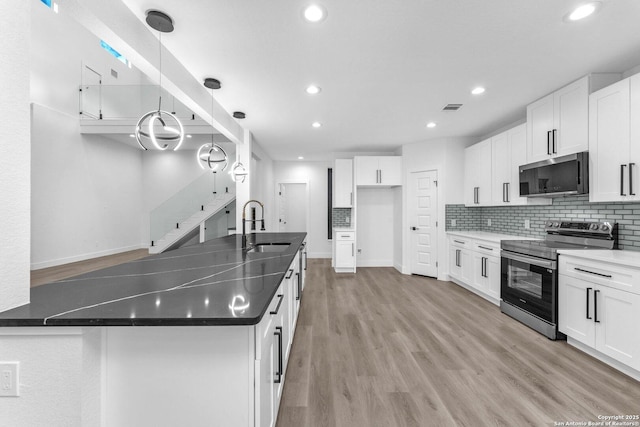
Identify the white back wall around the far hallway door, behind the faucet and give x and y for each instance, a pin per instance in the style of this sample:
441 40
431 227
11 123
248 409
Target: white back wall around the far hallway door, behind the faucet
315 173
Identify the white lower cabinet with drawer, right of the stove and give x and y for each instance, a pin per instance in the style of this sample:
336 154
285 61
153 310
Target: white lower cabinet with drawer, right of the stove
598 309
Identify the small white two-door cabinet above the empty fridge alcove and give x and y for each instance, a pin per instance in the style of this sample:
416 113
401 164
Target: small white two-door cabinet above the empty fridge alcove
378 170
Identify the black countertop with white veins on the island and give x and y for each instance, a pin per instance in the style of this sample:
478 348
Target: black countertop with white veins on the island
213 283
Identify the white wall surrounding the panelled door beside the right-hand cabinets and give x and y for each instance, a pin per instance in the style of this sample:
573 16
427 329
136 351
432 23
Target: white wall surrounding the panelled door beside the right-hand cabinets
445 155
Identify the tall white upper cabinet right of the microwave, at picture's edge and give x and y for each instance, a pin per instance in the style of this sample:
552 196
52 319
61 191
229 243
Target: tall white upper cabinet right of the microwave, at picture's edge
614 142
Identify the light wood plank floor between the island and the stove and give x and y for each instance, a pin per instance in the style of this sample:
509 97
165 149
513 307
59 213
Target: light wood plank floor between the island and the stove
382 349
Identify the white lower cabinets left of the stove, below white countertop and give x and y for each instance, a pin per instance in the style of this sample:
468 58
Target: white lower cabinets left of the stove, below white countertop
475 264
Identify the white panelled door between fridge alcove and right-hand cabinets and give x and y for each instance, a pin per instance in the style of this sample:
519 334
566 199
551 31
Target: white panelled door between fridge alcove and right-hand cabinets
423 222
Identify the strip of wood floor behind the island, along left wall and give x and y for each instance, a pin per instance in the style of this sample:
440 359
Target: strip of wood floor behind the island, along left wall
51 274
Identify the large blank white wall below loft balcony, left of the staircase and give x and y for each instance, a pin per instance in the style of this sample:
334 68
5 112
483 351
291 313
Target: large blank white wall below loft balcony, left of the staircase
86 191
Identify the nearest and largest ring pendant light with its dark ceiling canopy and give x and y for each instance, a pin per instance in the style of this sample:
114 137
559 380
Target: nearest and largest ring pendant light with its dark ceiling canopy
161 128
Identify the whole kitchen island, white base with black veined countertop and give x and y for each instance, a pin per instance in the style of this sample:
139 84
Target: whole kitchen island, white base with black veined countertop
198 336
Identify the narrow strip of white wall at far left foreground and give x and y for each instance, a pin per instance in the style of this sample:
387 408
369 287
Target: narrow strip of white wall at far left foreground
15 150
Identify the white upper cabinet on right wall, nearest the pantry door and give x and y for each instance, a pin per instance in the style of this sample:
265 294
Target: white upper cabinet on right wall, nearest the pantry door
477 174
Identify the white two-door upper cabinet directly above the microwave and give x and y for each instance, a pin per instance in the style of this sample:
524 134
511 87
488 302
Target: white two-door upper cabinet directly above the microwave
558 124
